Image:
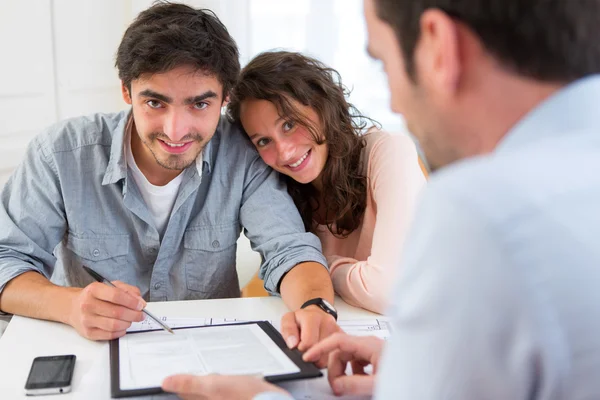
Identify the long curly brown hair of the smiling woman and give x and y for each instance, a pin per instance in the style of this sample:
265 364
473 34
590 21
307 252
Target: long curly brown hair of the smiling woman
284 77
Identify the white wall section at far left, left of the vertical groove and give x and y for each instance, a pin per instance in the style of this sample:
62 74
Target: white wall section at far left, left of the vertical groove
27 90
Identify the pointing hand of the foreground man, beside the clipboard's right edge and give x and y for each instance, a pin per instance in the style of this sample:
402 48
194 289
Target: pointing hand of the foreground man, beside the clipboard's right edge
343 349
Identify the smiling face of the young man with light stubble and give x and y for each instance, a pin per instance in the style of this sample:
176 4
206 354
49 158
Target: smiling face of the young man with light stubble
175 114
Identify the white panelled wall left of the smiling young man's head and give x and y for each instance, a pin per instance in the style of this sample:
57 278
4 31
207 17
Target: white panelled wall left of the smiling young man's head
58 64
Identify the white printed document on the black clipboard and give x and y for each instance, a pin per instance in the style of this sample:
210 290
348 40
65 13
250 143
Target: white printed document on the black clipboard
145 360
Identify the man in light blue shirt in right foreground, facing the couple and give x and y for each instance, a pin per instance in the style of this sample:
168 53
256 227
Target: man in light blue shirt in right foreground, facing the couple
498 296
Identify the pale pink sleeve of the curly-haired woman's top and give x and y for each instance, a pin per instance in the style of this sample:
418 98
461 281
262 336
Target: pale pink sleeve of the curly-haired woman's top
394 182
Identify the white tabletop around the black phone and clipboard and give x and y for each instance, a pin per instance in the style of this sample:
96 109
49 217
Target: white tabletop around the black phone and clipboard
26 338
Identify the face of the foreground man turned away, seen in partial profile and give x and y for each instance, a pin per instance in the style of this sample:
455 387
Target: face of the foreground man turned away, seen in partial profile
417 102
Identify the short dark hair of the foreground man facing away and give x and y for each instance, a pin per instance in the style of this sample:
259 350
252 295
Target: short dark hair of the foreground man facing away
547 40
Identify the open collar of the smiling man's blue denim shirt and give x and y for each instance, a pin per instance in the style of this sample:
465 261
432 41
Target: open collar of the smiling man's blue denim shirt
117 164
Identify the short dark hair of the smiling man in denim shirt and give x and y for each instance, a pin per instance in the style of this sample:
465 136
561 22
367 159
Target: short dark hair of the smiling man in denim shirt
169 35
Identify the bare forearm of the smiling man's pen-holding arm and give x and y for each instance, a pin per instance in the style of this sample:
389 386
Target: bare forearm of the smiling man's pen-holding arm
32 295
